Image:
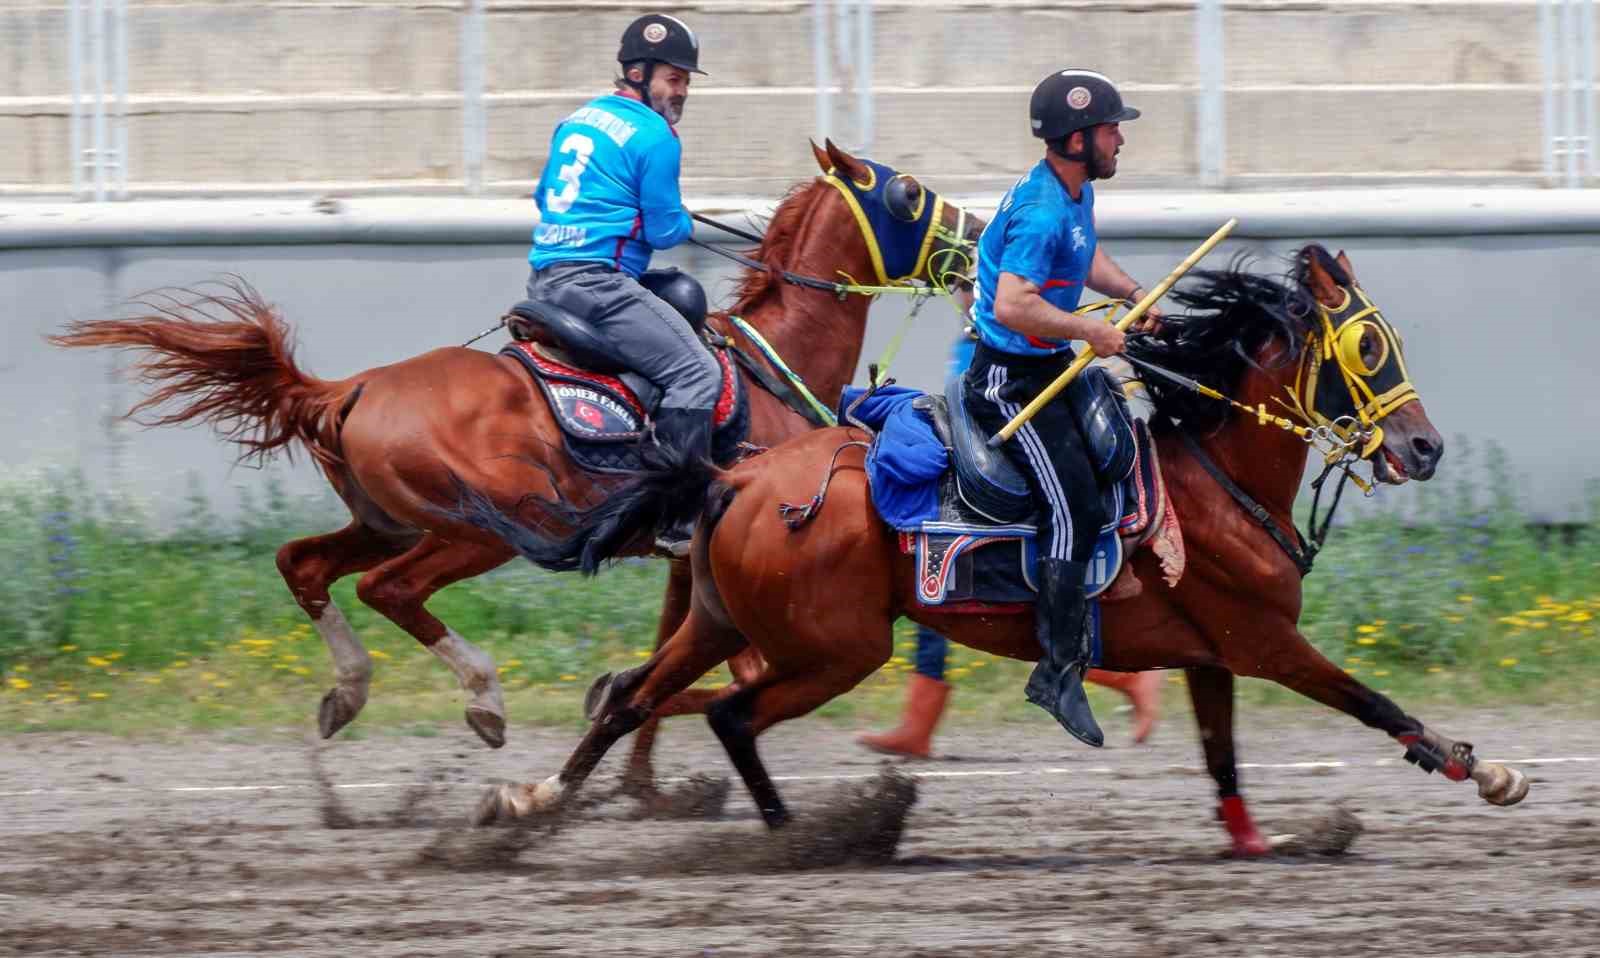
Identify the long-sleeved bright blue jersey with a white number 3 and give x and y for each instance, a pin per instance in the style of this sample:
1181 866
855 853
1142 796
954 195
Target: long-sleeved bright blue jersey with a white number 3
610 190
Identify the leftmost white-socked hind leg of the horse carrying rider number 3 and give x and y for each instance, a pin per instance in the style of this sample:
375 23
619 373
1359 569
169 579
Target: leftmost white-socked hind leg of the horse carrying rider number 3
311 567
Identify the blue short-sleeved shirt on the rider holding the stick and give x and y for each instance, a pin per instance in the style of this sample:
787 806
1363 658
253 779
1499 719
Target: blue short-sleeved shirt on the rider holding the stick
1044 236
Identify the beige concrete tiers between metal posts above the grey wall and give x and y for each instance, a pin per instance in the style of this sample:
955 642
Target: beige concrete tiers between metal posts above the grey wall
366 95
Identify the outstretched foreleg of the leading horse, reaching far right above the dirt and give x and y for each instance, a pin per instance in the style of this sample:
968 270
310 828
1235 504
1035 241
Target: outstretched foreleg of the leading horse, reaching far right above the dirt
1302 668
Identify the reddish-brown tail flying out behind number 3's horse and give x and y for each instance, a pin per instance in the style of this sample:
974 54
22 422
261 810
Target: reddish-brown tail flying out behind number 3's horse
226 361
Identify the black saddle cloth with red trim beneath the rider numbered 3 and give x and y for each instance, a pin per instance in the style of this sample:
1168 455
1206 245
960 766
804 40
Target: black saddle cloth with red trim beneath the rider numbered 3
604 417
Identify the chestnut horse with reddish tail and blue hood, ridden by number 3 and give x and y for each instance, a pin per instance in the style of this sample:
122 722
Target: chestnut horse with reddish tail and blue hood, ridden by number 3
393 441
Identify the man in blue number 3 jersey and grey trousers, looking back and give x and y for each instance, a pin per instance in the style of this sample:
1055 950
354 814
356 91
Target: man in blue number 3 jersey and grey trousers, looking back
609 198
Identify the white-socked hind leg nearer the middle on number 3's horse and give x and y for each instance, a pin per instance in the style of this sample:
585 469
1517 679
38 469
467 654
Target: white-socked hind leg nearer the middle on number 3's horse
401 588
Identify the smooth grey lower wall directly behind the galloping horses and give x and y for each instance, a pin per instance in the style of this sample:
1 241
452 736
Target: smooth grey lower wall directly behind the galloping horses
1494 322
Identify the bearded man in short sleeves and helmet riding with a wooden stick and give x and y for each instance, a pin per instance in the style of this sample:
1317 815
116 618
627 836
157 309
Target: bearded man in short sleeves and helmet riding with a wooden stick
1034 261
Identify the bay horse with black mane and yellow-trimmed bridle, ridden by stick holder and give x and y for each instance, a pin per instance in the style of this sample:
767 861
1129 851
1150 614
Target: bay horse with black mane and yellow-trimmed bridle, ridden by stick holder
818 602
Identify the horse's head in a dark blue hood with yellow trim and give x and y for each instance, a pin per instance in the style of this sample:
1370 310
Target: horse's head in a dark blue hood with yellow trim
911 233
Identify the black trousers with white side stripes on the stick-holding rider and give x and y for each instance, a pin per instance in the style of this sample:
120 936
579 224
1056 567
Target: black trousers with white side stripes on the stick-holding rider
1049 449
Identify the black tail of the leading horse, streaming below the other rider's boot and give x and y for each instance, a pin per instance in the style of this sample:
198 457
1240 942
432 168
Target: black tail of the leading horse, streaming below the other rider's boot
647 503
